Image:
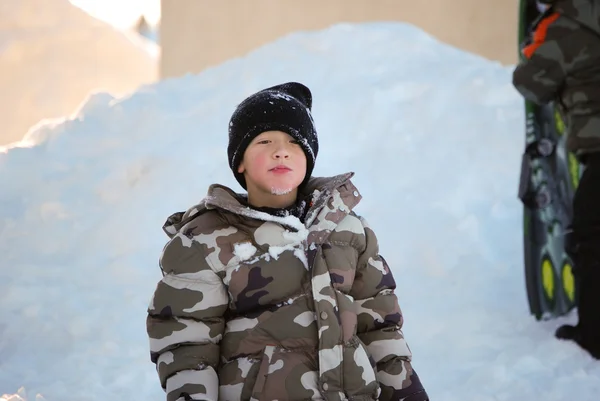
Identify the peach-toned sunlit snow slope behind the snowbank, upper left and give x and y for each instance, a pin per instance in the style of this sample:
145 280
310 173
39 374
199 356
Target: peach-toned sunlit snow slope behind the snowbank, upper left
53 54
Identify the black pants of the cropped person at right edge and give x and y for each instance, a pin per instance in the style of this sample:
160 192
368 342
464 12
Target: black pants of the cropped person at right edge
586 233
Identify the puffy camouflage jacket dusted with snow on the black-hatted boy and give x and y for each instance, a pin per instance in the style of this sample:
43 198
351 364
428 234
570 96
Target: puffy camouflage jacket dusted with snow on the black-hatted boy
255 306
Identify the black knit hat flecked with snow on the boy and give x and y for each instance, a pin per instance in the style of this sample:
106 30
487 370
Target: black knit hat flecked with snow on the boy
286 108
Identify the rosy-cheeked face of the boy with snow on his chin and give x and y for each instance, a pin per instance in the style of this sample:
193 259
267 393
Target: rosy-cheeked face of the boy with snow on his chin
274 165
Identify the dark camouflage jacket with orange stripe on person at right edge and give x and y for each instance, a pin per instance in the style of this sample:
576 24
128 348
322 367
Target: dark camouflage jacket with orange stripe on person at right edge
562 64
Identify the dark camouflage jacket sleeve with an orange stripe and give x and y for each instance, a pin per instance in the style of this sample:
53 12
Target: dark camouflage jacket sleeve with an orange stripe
552 54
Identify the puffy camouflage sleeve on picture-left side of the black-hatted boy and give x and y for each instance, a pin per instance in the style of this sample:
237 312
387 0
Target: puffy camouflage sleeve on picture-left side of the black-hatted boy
185 322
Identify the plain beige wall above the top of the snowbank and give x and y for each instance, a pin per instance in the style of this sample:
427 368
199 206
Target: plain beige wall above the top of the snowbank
196 34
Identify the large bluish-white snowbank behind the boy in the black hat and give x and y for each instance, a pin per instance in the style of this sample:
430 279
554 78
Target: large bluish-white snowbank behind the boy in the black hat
435 137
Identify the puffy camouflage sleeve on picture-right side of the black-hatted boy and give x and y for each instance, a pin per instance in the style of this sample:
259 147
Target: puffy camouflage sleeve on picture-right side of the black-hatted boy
380 325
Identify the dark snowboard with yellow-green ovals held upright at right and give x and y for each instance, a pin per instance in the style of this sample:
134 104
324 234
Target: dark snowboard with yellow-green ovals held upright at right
549 176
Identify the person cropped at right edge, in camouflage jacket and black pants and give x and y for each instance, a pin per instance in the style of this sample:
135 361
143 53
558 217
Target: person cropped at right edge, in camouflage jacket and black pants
562 64
